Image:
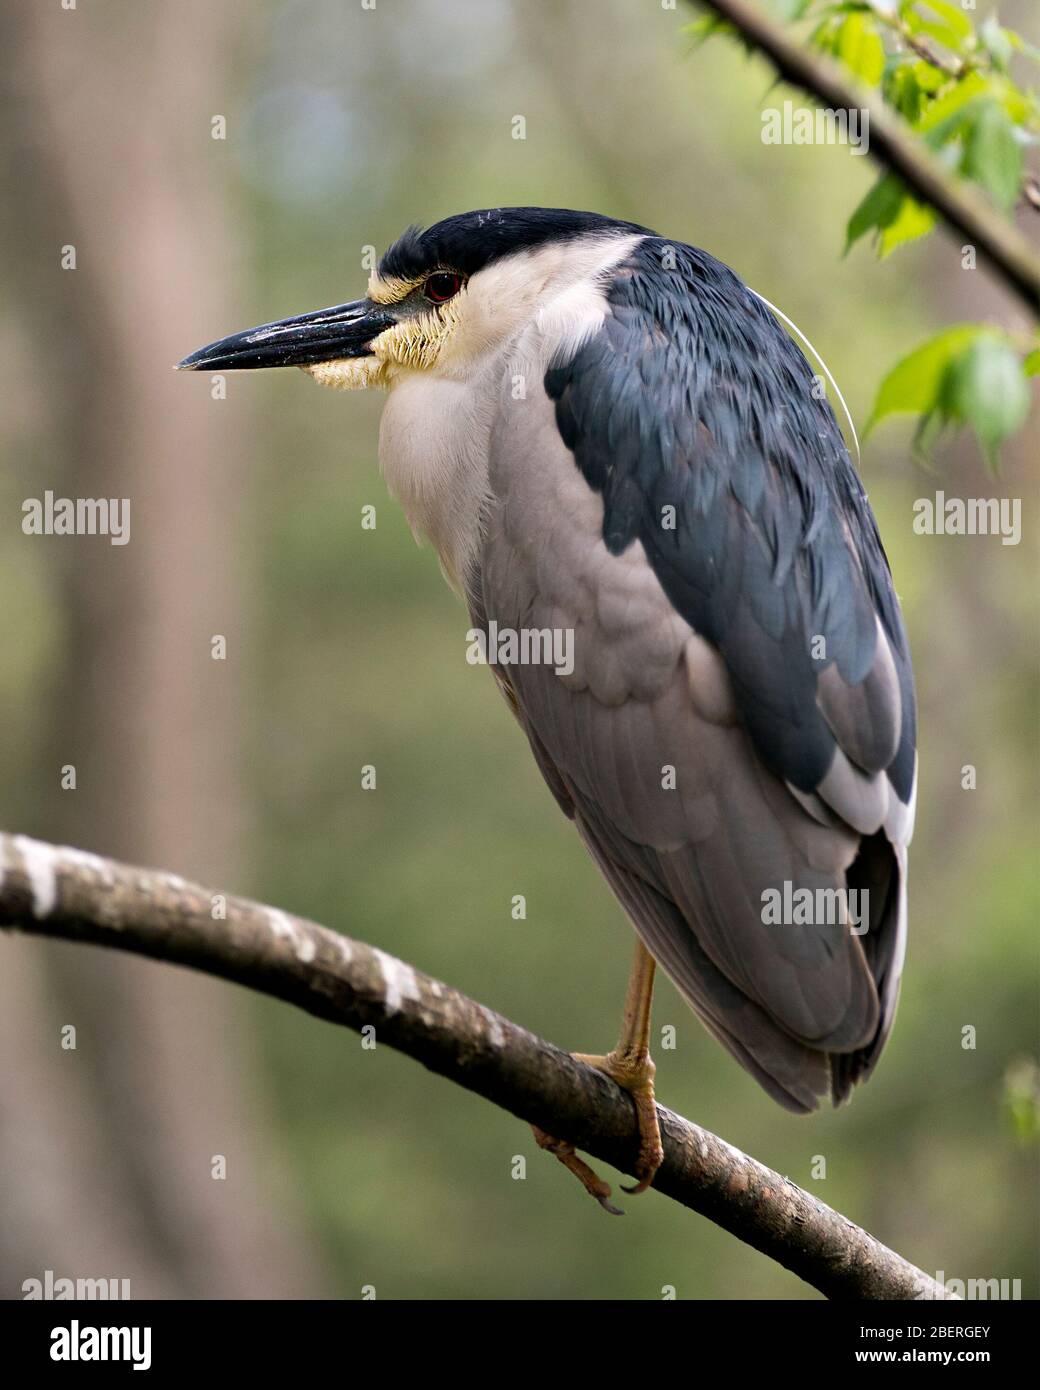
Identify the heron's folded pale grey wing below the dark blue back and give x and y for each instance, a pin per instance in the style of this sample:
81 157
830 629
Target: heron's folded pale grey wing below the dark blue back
804 1008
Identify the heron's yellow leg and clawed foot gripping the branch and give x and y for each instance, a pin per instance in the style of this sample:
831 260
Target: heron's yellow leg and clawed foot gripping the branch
632 1067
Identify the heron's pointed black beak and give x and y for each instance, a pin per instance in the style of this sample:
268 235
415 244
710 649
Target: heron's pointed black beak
326 336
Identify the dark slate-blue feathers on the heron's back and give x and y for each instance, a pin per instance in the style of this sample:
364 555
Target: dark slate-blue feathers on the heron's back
694 398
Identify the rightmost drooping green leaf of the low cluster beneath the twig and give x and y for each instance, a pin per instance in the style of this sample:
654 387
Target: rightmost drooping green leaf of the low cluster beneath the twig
986 389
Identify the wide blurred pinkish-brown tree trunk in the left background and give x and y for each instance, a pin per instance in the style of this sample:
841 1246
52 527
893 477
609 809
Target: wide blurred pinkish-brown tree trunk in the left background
113 111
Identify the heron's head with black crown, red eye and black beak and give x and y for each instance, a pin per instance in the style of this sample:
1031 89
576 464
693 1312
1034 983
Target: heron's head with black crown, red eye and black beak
441 301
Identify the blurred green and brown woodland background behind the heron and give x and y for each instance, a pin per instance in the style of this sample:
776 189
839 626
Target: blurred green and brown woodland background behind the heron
350 1168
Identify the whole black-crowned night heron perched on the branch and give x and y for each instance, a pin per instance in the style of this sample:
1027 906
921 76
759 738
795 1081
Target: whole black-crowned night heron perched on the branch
631 472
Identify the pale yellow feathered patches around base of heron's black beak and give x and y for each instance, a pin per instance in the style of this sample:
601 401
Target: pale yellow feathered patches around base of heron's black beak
412 345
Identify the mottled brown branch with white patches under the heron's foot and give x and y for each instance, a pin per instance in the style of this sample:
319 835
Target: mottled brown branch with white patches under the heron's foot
69 894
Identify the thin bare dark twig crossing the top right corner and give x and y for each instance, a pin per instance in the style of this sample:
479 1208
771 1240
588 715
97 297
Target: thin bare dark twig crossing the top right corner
963 208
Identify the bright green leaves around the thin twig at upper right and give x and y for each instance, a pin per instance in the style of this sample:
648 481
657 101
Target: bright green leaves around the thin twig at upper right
950 123
